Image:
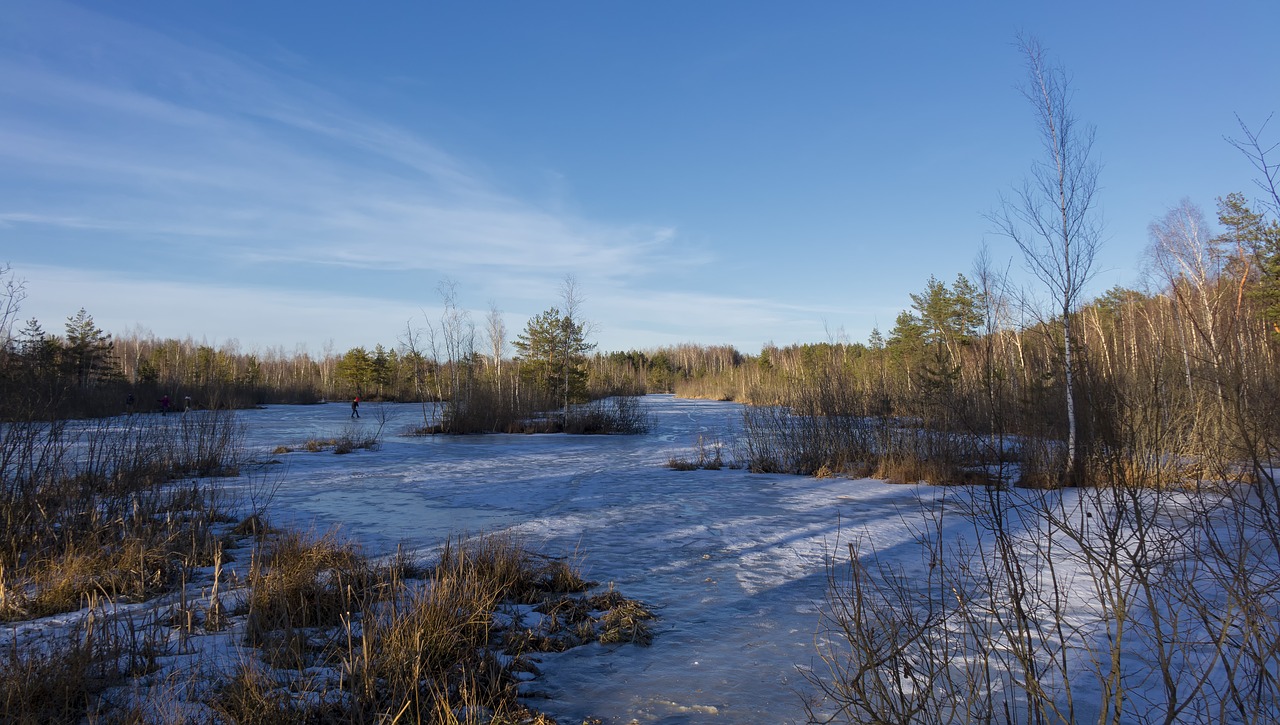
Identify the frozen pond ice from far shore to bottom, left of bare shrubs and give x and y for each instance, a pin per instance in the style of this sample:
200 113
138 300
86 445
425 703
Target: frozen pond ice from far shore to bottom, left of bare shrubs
733 563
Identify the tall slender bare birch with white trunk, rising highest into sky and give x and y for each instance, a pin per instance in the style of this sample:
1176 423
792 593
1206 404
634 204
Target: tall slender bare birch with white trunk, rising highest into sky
1053 216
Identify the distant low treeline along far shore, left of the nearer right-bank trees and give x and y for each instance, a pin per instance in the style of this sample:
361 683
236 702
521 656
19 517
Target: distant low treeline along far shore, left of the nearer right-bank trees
89 372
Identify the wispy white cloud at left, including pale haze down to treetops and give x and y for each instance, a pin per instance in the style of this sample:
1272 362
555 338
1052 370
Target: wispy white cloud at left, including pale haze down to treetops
139 167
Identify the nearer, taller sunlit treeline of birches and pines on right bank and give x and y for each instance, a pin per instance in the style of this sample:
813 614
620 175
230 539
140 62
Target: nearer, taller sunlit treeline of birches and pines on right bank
1173 385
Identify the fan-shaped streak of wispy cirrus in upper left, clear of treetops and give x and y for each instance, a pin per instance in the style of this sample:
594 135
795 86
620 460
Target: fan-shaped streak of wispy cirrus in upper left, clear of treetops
161 138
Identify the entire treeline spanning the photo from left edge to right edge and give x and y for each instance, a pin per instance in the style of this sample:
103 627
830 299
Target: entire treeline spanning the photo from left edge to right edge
1176 382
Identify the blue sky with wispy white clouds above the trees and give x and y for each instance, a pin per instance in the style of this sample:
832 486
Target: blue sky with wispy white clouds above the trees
716 172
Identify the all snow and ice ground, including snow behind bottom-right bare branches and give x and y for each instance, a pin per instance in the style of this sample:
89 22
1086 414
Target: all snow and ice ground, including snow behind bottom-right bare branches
735 566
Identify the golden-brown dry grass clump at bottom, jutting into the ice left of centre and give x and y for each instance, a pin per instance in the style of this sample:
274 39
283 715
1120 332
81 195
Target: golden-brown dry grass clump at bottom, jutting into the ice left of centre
341 639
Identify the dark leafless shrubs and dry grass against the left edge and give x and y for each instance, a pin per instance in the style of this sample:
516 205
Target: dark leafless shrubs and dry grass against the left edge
94 509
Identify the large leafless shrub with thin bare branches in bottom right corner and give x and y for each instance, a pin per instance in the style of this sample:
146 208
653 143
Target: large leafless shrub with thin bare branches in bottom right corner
1109 603
